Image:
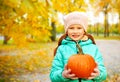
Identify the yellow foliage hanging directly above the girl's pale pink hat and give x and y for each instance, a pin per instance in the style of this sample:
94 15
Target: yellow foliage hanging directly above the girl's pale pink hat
66 6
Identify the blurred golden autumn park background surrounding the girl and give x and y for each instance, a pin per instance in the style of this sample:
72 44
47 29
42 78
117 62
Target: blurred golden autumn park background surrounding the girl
30 29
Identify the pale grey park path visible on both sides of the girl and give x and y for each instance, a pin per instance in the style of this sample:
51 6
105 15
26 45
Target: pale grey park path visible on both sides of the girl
110 50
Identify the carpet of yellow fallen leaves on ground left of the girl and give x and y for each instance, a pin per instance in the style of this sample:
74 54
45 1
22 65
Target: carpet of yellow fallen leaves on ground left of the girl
27 59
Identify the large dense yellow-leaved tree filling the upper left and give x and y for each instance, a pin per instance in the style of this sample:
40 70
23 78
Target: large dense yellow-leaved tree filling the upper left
24 19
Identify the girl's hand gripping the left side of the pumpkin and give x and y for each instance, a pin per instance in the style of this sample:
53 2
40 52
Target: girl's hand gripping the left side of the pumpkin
67 73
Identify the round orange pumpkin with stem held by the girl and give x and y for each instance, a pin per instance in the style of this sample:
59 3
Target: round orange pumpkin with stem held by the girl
82 65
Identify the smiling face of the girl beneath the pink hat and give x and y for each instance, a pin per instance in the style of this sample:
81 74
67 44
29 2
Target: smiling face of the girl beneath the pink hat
75 32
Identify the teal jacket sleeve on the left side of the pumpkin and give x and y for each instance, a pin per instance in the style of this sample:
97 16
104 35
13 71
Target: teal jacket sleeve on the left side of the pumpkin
57 68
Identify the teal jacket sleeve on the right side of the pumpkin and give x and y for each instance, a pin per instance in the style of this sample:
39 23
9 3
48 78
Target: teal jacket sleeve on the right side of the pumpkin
101 67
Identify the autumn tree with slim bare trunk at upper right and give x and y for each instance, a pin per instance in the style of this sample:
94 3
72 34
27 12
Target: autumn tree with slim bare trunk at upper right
105 6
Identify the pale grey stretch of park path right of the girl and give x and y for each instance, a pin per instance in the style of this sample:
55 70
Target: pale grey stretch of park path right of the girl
110 50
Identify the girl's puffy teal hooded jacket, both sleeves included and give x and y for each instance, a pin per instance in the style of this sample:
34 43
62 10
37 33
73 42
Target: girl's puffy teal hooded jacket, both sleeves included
67 49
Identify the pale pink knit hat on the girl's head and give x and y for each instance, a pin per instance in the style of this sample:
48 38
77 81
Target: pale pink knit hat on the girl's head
76 18
